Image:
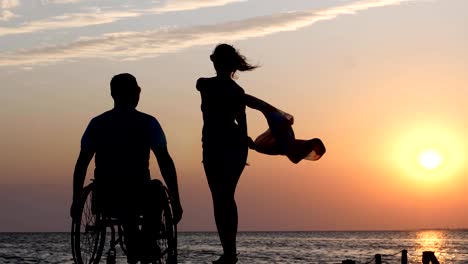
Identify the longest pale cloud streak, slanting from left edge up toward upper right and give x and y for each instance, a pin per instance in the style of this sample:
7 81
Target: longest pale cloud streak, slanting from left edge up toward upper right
139 45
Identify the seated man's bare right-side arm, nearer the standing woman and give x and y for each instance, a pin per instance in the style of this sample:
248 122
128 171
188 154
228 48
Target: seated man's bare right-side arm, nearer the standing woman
168 172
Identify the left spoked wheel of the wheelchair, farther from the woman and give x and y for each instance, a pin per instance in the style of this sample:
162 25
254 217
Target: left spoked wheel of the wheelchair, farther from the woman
88 232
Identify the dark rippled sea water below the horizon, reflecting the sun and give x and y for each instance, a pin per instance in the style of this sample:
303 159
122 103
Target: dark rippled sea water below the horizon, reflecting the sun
450 246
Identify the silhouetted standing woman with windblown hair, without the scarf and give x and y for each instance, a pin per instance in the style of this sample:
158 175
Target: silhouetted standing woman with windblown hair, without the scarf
225 141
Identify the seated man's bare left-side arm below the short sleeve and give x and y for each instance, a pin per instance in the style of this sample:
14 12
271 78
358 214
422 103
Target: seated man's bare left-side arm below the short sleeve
79 176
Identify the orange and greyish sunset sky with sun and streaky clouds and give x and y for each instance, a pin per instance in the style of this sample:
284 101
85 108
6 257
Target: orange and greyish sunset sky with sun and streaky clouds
384 84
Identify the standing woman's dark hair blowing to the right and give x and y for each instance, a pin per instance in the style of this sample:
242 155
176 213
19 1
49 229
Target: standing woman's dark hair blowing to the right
230 58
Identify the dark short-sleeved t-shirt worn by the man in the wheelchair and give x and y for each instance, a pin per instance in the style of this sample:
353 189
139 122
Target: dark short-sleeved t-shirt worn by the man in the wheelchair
121 140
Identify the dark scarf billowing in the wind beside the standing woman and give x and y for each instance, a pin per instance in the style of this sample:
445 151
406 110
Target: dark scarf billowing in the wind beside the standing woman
279 138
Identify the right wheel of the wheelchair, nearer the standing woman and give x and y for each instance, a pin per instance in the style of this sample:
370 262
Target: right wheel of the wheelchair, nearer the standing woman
167 237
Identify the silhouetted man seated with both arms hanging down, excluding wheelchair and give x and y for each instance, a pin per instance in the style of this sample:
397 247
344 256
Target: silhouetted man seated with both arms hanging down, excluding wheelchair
121 140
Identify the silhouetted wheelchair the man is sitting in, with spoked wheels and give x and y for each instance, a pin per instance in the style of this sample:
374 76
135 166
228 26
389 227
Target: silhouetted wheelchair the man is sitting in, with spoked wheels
89 232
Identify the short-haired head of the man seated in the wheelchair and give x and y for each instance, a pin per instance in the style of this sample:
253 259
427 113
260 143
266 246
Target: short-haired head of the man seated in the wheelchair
125 90
